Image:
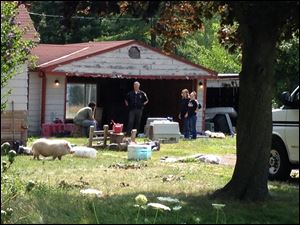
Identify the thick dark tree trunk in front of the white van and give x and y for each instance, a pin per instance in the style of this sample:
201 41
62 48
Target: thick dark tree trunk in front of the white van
254 126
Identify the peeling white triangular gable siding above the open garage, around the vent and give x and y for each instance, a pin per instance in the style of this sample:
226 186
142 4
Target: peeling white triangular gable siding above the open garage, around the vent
117 62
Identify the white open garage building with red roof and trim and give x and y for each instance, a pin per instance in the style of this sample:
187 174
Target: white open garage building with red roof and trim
104 72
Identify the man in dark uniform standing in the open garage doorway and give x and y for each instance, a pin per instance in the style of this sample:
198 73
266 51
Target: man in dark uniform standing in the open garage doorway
135 100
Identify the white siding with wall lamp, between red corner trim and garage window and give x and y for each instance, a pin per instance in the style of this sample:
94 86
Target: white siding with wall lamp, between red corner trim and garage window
55 98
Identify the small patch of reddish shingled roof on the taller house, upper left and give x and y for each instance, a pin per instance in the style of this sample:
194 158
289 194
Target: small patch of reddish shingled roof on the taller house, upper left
23 18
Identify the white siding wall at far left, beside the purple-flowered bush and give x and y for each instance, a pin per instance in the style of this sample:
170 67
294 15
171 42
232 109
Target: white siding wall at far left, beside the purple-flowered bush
19 86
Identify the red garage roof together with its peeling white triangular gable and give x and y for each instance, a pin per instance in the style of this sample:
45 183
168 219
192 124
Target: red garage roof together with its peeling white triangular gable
111 59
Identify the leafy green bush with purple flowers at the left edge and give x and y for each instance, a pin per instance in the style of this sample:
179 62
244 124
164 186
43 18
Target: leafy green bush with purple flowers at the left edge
14 50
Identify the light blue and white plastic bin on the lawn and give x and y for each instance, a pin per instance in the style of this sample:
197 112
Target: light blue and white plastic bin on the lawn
139 152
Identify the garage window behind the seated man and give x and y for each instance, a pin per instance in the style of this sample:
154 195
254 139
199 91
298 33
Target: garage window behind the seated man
78 96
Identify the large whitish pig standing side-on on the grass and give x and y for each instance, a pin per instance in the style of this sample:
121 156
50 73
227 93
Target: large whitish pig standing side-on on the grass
54 148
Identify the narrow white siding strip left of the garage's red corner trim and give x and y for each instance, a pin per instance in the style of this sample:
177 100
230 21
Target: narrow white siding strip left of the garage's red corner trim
34 111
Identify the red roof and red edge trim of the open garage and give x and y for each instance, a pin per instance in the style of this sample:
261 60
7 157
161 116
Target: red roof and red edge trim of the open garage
52 56
